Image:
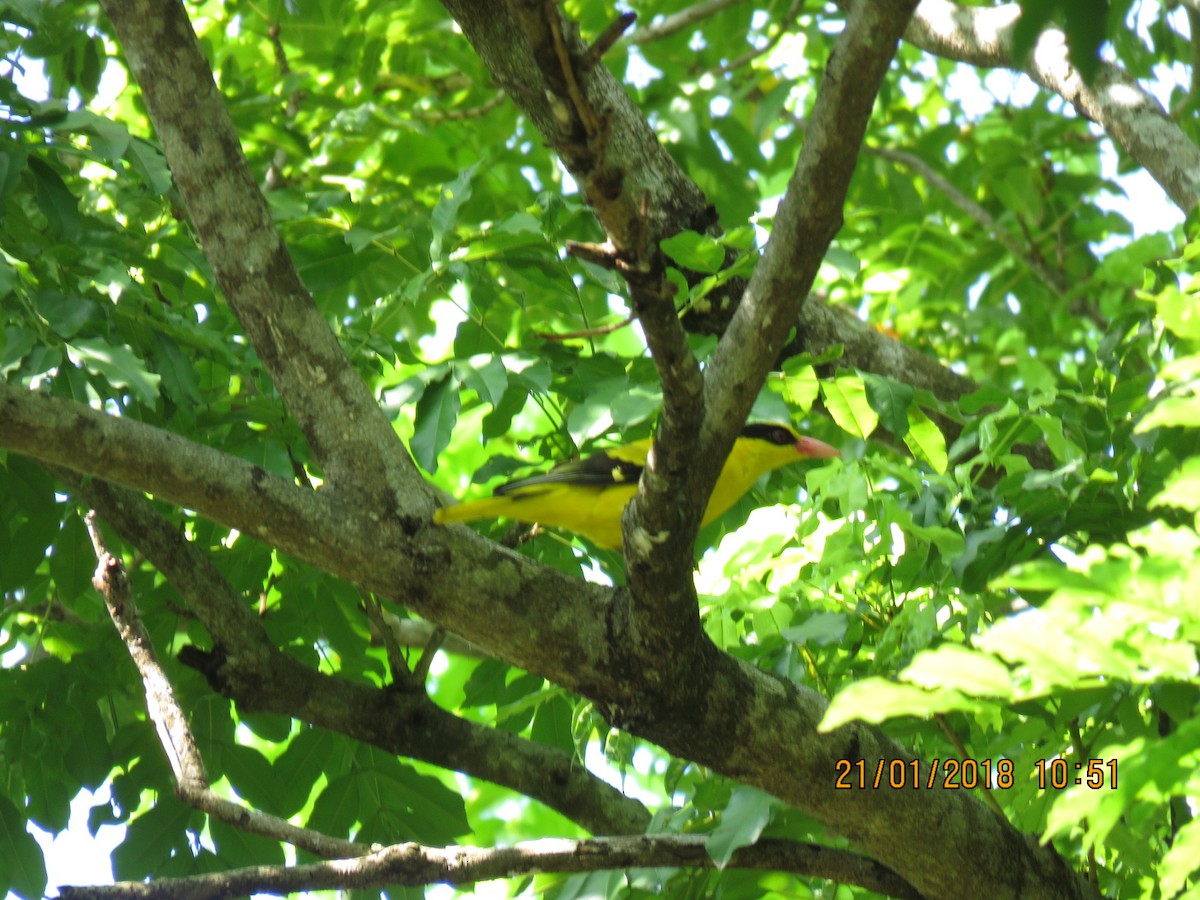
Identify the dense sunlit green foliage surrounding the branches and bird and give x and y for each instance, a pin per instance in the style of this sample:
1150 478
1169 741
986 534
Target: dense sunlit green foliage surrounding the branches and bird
1003 568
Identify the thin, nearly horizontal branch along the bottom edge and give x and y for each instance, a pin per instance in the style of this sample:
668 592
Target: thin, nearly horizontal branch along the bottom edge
411 865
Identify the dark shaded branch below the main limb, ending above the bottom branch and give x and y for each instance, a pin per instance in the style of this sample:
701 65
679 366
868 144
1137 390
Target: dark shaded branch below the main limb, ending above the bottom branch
248 669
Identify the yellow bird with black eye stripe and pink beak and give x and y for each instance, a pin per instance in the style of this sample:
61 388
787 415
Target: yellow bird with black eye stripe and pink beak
589 496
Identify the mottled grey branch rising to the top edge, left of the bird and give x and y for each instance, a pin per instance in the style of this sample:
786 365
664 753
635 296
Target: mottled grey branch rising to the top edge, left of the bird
346 429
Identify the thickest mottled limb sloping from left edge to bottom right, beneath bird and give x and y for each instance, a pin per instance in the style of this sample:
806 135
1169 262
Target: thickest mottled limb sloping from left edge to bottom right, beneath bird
745 724
